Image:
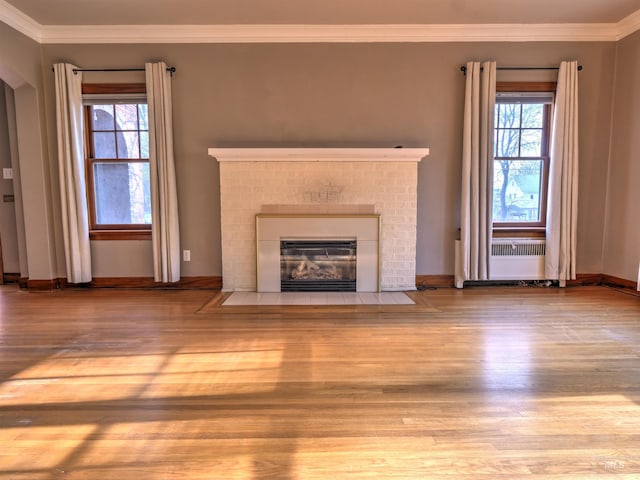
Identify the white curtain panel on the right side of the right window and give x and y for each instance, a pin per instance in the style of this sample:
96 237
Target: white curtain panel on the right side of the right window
562 203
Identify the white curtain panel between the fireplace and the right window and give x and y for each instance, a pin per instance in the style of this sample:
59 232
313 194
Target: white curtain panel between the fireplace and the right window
477 168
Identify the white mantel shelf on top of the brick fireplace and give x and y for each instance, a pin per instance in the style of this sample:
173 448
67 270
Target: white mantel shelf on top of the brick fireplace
318 154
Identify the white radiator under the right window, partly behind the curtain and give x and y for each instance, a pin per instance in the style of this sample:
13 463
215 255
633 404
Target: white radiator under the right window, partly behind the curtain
511 259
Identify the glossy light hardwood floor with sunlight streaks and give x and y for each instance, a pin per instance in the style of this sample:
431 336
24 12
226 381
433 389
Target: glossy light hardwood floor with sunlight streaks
476 384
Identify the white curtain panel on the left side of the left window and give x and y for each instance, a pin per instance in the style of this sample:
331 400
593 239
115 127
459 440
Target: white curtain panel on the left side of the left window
70 124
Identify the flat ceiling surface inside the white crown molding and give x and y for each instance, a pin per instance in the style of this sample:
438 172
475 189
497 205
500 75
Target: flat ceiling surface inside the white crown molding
225 12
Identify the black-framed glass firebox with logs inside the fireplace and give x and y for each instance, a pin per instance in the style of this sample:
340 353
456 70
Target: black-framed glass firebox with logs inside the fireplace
320 265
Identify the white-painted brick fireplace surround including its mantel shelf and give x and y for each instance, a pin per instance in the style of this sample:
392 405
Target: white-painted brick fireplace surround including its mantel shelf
317 182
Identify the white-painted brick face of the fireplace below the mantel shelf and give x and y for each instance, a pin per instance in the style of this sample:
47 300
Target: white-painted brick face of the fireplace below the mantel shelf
246 187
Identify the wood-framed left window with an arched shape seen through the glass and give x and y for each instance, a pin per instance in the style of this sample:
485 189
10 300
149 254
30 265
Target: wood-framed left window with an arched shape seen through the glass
117 161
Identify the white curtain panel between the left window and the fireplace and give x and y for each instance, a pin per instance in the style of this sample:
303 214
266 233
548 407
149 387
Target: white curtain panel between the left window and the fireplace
164 199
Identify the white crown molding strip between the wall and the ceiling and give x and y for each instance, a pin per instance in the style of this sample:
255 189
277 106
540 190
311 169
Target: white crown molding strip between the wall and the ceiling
105 34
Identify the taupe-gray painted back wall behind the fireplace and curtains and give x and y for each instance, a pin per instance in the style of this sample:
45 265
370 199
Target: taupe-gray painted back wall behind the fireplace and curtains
336 95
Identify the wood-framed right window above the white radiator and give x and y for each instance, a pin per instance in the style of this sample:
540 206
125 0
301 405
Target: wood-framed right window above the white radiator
521 155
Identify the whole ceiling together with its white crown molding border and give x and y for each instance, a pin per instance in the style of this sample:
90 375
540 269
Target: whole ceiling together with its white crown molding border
175 21
